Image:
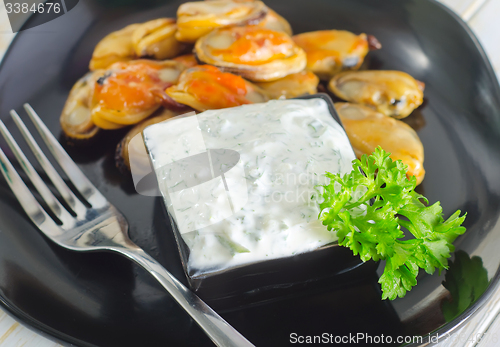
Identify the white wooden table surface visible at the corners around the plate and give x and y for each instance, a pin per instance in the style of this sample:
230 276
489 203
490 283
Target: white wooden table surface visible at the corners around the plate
482 16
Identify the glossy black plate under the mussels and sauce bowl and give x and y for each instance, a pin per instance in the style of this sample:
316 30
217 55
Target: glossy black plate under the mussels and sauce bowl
103 299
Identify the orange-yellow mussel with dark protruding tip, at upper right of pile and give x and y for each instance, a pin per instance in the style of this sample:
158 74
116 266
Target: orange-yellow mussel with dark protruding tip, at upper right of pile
332 51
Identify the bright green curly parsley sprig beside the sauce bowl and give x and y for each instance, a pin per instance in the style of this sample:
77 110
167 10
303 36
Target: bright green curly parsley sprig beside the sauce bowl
367 209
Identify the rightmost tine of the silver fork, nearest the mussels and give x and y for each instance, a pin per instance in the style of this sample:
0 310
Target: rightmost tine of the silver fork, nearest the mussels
81 182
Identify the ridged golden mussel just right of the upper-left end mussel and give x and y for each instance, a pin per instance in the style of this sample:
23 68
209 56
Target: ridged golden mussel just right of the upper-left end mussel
156 39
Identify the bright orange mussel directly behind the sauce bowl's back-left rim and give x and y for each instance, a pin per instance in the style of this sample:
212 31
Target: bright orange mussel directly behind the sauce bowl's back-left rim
205 87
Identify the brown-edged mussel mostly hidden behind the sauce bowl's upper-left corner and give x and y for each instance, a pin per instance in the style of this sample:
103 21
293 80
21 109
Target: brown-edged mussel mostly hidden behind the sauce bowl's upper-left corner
122 149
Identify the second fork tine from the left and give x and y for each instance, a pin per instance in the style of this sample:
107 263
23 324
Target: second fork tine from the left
40 186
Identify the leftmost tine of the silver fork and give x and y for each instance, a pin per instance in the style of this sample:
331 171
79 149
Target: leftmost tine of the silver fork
28 202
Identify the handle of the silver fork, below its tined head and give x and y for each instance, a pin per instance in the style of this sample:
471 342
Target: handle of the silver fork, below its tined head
219 331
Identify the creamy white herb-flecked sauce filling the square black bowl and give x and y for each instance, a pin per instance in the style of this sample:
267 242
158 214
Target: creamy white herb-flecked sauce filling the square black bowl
263 210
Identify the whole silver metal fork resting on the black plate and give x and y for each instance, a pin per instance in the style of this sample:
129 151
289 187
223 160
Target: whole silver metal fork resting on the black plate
100 227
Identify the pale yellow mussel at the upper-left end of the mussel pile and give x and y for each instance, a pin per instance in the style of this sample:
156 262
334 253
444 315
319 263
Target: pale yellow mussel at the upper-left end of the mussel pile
113 48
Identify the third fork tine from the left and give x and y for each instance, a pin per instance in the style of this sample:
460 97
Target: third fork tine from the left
73 202
